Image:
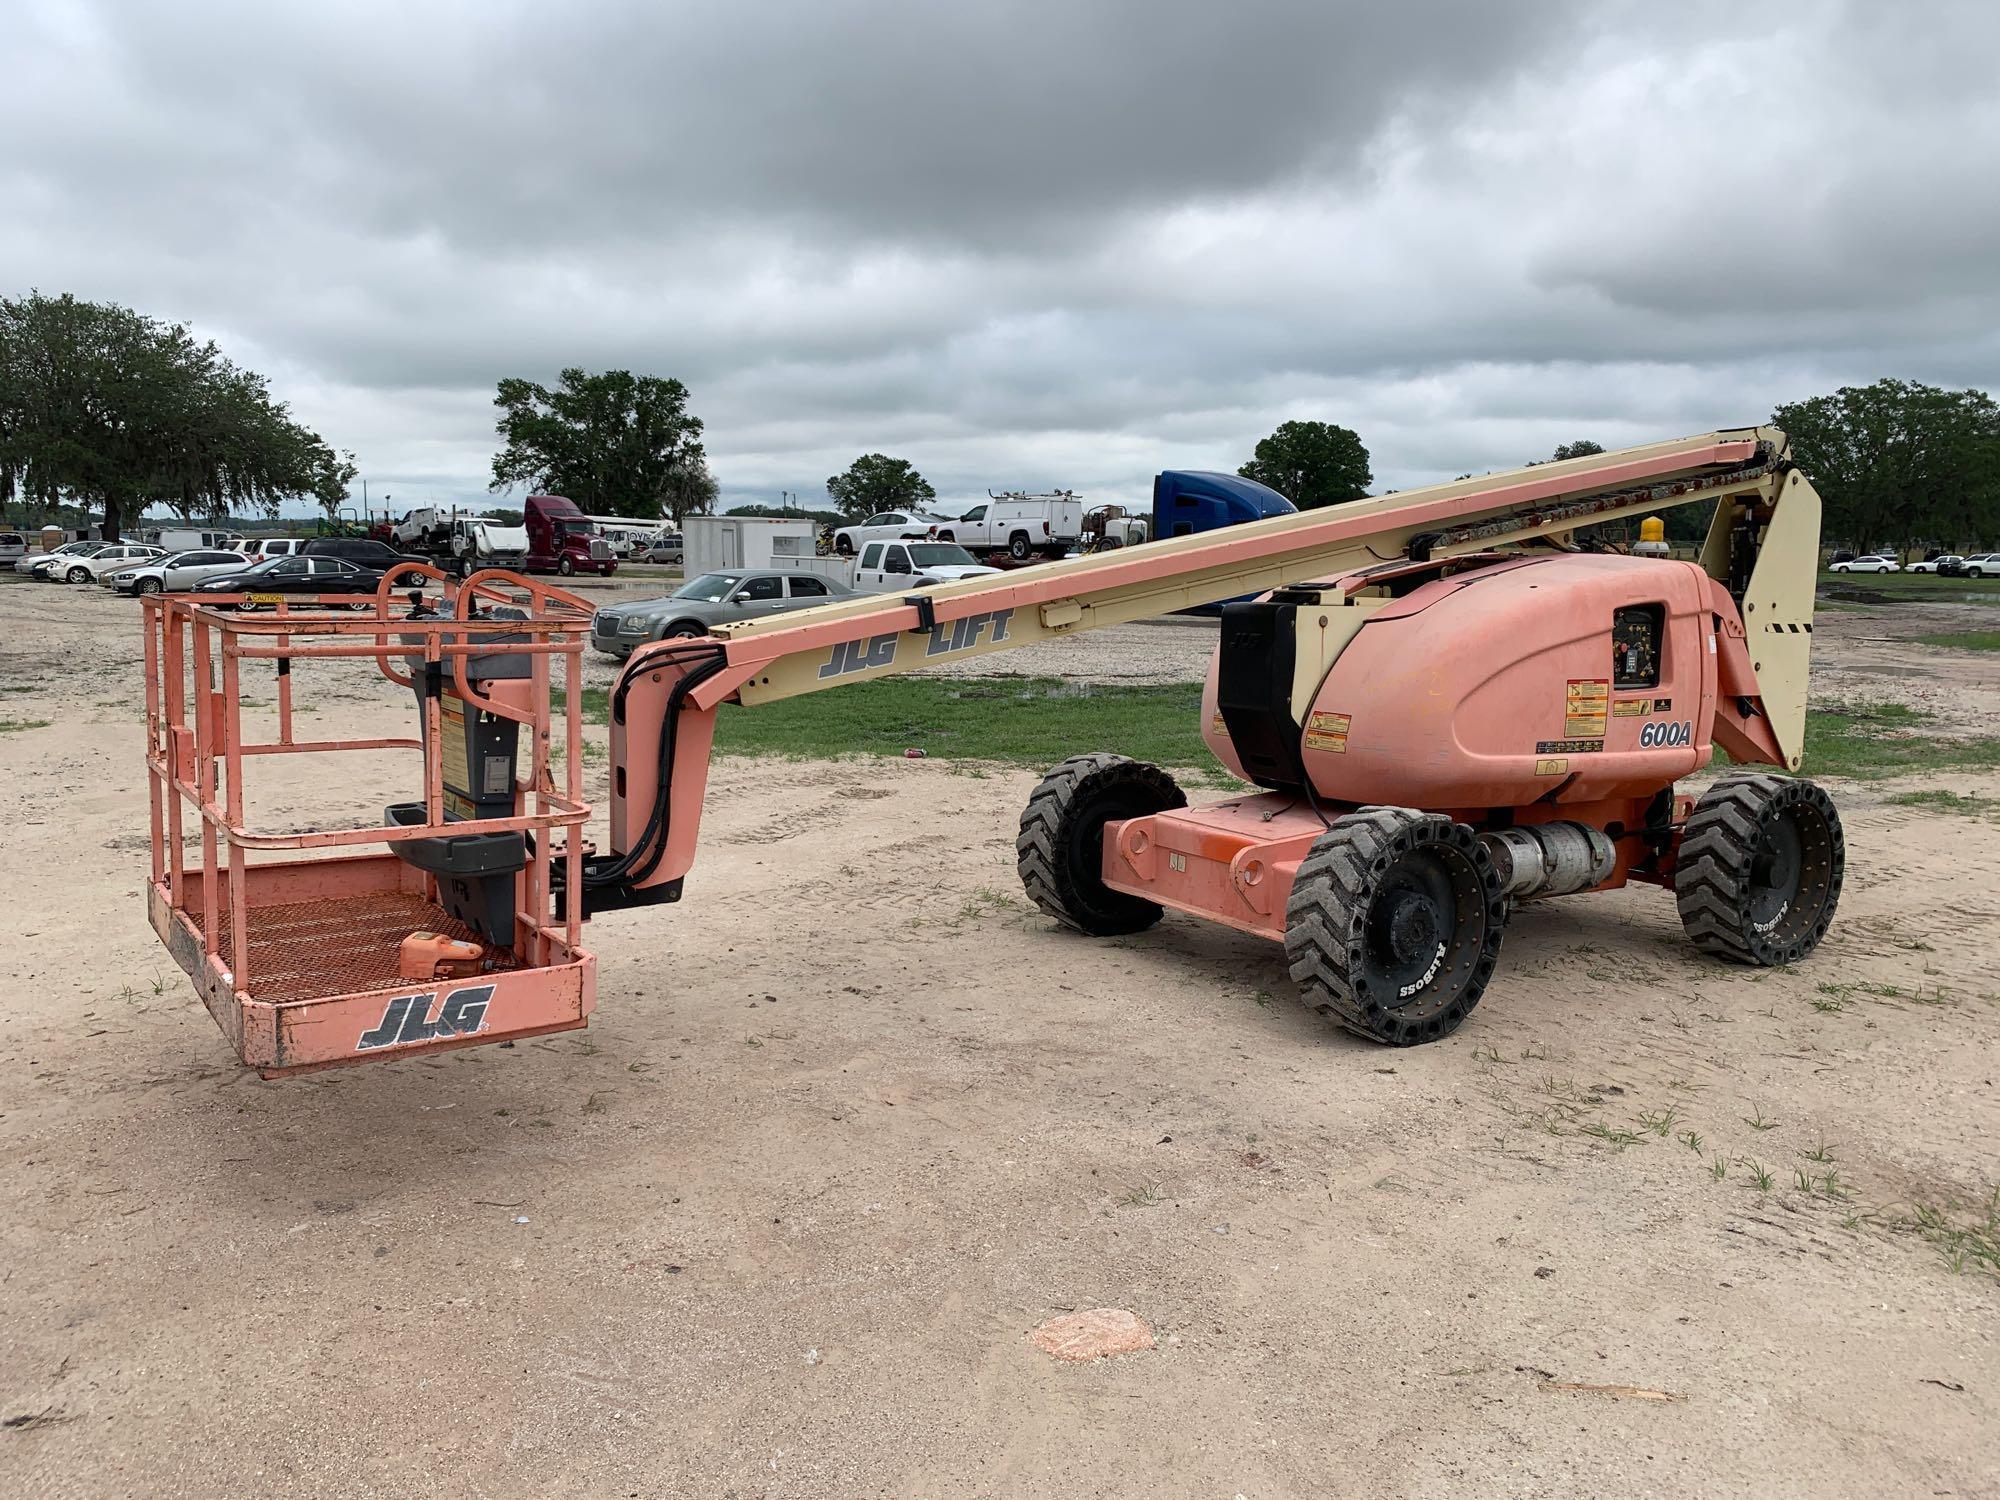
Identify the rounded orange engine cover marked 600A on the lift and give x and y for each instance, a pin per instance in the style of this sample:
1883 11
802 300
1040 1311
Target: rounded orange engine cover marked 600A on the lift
1543 679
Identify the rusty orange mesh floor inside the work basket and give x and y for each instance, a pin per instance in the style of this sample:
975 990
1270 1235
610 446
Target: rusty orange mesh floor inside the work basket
335 947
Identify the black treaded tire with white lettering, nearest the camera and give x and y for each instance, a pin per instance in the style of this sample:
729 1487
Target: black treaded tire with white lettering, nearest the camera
1333 925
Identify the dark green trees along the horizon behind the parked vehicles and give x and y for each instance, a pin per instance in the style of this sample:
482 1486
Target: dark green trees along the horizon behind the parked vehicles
105 407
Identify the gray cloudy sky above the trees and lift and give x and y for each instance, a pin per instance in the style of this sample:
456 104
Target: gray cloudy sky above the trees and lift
1025 245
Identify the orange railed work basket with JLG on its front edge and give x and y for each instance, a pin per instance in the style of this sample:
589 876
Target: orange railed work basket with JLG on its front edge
297 941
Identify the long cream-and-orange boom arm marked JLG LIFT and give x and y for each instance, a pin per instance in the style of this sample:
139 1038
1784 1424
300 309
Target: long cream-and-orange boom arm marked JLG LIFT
1761 545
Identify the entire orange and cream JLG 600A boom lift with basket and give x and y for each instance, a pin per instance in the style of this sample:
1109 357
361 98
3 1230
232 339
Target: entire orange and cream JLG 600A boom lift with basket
1443 707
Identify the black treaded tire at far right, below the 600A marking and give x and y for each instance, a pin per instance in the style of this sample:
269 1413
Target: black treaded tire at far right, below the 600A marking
1743 833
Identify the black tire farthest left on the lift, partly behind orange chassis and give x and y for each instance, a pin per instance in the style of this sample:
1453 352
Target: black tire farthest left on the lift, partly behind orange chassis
1061 845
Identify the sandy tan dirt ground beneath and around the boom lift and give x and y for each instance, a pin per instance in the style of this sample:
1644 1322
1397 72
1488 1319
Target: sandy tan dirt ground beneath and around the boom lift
851 1121
